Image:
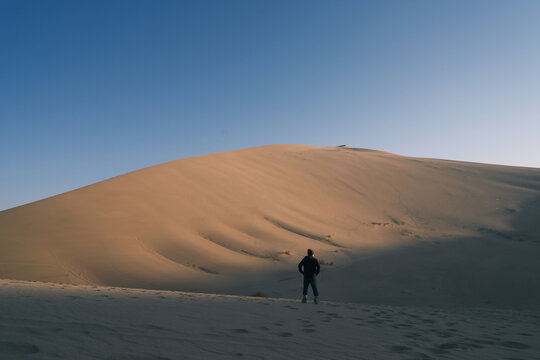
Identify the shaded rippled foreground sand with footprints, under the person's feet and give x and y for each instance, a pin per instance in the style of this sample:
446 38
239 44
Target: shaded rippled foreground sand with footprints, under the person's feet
58 321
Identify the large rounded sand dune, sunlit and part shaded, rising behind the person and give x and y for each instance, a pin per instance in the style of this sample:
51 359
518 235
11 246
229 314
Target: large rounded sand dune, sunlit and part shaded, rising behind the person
391 229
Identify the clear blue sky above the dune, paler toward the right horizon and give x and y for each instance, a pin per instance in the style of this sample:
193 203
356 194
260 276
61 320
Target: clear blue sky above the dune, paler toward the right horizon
94 89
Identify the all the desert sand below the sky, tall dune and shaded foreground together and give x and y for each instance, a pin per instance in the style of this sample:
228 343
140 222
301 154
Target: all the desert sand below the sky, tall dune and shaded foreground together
421 259
